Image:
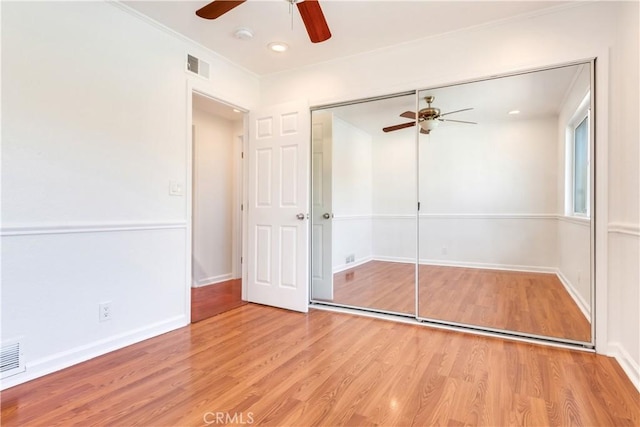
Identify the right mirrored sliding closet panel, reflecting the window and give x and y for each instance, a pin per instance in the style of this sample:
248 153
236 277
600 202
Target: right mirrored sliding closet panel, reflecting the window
504 225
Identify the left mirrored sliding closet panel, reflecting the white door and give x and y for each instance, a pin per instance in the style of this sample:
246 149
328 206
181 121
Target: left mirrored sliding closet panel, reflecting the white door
364 207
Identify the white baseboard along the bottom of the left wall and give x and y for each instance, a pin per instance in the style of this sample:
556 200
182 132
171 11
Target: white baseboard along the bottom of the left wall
65 359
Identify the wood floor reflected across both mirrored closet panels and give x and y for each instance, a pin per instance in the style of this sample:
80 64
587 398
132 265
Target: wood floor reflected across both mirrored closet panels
535 303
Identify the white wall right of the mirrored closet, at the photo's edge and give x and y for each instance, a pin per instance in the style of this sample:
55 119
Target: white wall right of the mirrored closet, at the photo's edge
624 192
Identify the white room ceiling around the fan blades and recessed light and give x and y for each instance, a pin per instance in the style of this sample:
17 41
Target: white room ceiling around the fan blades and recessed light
357 26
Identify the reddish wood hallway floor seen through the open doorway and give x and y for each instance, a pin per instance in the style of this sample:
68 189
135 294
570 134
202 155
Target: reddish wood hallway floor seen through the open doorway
207 301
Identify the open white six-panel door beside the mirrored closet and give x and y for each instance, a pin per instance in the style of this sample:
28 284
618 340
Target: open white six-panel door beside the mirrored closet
278 199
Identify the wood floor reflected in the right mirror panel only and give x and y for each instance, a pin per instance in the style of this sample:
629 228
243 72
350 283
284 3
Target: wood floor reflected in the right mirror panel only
536 303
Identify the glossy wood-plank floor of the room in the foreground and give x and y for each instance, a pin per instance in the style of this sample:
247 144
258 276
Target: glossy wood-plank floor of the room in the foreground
281 368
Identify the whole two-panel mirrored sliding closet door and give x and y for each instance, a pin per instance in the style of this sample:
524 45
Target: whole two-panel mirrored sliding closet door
469 205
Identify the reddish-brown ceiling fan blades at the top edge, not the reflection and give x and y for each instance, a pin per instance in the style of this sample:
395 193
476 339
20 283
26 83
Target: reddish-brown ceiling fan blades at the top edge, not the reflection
310 12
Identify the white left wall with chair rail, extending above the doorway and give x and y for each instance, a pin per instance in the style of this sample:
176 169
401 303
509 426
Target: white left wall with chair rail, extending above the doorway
94 128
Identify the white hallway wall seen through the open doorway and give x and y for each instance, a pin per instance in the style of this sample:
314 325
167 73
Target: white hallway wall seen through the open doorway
213 204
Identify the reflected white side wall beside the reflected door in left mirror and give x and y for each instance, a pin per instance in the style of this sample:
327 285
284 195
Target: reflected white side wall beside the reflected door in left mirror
352 194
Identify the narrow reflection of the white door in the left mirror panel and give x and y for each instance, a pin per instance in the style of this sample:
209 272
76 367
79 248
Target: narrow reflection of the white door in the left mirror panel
322 213
